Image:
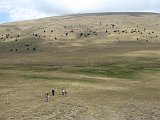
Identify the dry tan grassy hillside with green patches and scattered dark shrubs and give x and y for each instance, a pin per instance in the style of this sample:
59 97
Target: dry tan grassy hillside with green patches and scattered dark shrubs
109 64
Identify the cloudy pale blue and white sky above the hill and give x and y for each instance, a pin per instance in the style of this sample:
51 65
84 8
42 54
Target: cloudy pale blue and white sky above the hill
18 10
